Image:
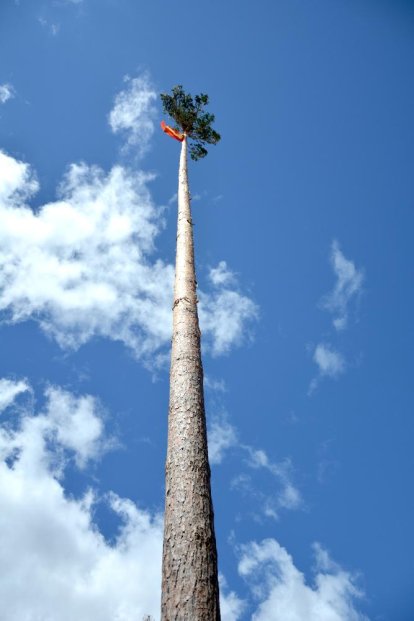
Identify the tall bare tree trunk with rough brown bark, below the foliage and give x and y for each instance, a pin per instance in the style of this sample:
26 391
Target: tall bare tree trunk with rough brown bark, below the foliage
190 589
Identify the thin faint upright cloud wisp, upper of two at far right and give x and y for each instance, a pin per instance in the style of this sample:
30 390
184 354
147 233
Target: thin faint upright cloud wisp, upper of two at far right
348 285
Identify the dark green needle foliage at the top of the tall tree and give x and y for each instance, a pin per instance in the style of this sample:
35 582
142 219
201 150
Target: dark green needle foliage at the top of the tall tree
190 118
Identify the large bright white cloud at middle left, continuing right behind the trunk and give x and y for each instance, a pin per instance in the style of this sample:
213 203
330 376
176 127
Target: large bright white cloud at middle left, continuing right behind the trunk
81 266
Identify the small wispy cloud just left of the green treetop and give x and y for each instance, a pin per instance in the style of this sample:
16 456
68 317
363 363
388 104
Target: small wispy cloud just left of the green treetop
134 111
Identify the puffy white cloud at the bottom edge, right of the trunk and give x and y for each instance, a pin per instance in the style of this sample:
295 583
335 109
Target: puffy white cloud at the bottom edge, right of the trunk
284 595
